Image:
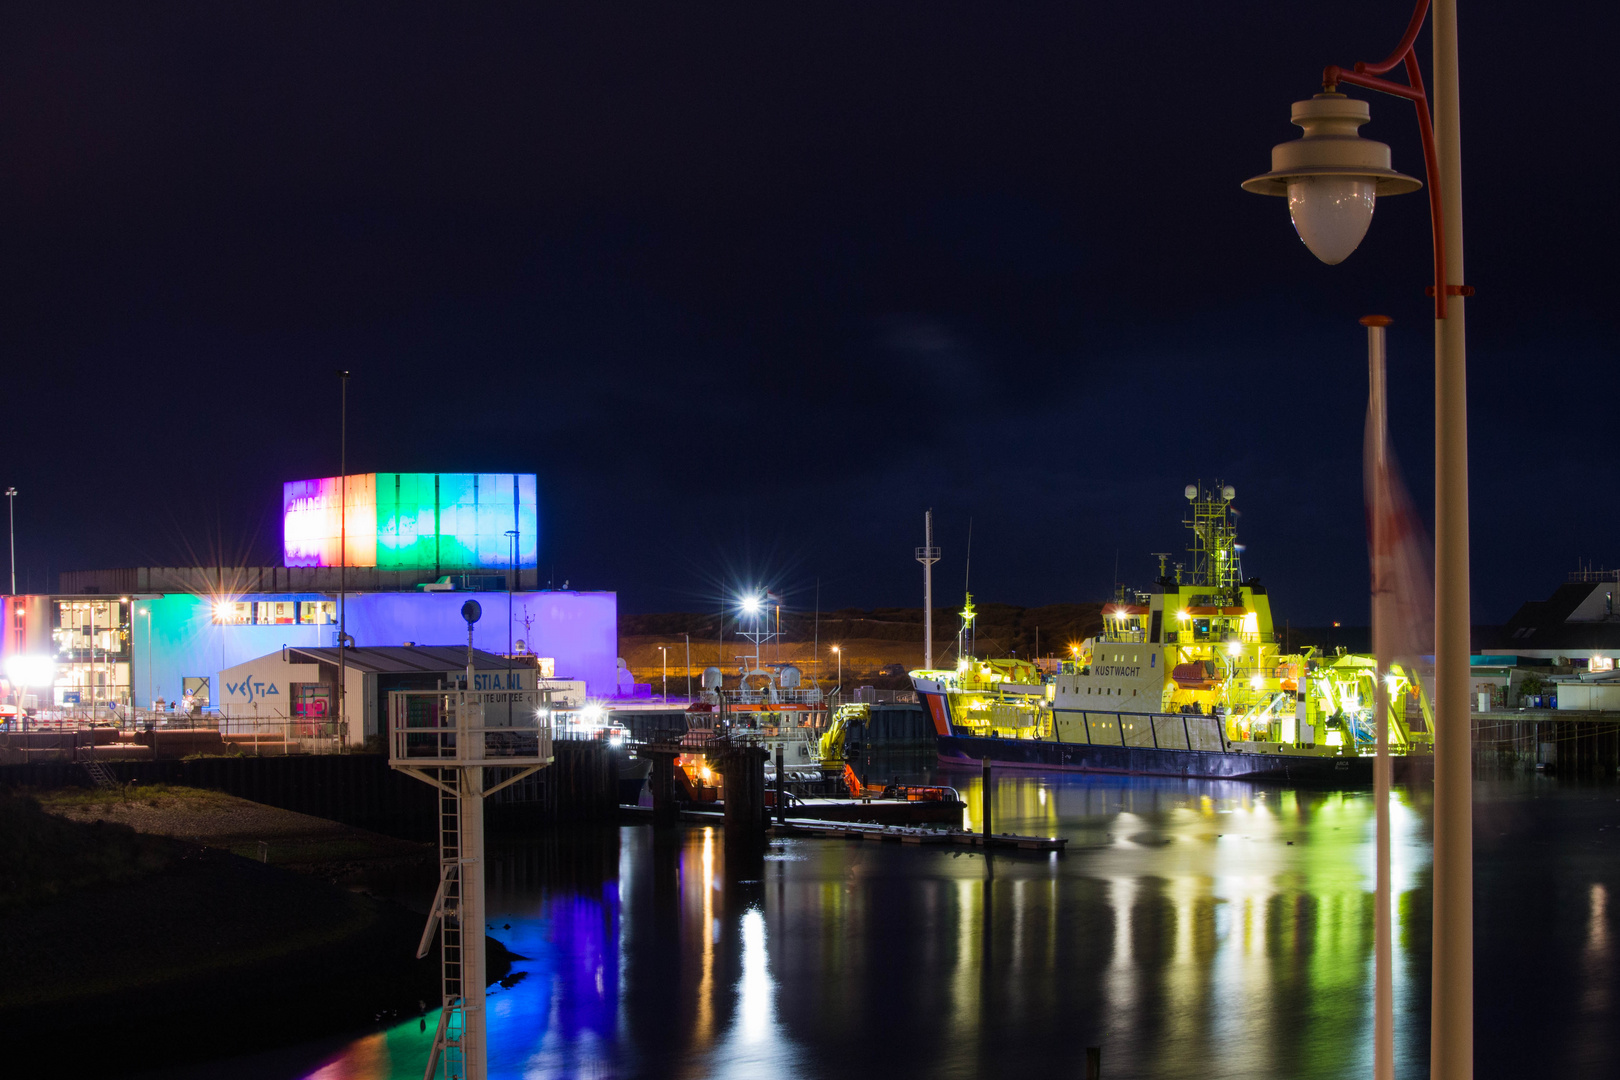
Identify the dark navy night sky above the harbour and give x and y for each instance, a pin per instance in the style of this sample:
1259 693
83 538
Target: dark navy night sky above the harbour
752 287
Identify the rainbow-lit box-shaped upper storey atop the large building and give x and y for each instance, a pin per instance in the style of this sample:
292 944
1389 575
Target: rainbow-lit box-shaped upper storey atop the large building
412 521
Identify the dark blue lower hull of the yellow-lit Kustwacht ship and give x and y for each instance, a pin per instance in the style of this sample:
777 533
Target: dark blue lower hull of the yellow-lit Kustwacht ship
1055 757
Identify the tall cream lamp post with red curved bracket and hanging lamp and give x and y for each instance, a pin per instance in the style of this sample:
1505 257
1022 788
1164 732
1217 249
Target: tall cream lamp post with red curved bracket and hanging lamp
1332 179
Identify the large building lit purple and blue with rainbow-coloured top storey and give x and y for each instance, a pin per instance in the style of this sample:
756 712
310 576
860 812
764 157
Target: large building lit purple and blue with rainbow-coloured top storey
419 546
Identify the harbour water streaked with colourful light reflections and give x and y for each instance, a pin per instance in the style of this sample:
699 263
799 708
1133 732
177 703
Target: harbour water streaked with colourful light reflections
1193 930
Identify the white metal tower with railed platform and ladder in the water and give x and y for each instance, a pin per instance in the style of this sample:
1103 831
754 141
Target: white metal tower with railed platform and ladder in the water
448 739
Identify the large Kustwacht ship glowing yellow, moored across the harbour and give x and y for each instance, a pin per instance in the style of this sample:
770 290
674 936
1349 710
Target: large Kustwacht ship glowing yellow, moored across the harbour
1187 679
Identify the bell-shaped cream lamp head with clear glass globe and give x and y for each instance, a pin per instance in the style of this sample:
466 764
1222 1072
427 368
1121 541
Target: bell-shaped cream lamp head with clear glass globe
1331 176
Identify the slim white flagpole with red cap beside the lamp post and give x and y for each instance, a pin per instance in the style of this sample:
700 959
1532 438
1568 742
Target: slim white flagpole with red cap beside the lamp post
1379 527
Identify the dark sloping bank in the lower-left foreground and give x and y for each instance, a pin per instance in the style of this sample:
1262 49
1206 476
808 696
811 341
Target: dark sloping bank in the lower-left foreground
129 951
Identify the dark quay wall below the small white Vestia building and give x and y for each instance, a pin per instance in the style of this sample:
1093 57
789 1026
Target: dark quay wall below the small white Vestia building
362 791
